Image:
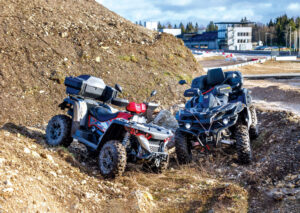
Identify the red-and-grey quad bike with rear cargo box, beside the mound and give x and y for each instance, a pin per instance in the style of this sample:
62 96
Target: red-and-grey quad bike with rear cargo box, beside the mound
116 137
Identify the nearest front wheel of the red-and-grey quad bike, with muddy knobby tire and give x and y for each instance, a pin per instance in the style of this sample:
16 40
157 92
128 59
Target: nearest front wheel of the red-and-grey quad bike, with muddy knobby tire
112 159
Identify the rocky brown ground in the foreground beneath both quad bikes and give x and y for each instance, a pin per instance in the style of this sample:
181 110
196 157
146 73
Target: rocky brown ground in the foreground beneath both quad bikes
37 177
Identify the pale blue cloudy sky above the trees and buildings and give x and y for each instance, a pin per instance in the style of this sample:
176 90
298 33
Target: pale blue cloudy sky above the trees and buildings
202 11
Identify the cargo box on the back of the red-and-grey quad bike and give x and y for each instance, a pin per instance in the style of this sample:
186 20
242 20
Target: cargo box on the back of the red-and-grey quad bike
86 86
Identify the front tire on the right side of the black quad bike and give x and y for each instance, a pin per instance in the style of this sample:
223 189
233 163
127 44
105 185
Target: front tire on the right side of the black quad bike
243 146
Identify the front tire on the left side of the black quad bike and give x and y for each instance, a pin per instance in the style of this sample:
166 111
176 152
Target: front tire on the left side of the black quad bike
183 150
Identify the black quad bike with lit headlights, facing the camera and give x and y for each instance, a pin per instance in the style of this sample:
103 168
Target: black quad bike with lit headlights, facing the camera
219 112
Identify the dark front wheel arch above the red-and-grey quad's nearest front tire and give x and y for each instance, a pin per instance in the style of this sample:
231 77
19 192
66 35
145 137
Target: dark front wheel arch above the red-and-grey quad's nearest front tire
115 131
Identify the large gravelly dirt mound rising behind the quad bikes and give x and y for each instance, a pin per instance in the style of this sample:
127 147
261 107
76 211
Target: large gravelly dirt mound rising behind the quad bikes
41 42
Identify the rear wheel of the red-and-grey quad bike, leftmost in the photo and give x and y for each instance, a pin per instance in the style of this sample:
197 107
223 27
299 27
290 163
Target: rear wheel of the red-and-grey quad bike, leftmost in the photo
58 132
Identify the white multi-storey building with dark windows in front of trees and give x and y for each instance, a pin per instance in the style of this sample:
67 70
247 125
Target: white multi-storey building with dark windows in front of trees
235 35
